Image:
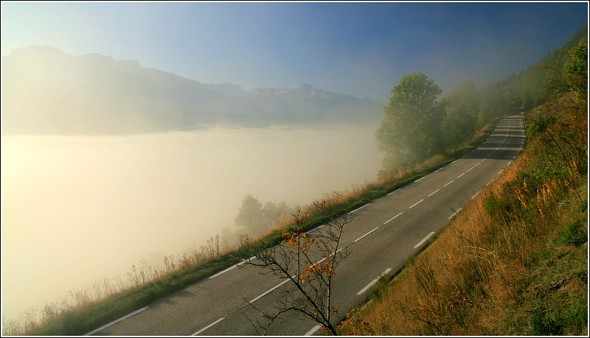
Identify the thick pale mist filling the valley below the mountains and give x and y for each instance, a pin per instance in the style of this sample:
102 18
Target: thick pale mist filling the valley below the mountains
76 209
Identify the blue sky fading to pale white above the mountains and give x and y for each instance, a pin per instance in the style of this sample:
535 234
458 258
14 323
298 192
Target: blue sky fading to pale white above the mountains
356 48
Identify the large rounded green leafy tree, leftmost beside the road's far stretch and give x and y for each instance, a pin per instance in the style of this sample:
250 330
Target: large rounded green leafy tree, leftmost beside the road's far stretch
410 130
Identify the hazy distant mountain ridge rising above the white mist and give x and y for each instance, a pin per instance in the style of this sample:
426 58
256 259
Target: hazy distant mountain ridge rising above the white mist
46 91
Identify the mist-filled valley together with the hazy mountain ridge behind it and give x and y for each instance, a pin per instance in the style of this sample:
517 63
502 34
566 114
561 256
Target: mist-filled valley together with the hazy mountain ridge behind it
90 206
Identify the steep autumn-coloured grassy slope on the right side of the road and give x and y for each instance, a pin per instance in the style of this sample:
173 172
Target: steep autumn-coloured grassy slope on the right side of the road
515 261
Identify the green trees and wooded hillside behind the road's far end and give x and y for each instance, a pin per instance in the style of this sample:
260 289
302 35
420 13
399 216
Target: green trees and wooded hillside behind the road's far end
420 122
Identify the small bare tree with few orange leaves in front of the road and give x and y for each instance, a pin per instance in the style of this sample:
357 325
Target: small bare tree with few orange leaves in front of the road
308 261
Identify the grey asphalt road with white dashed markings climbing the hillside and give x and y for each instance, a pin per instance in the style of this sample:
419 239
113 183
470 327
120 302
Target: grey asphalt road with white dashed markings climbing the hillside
382 236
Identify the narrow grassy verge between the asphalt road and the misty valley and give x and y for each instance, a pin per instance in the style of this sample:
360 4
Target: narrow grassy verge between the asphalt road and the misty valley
82 311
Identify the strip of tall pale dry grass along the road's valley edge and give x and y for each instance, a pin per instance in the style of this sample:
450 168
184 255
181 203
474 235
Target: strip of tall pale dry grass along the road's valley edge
143 276
